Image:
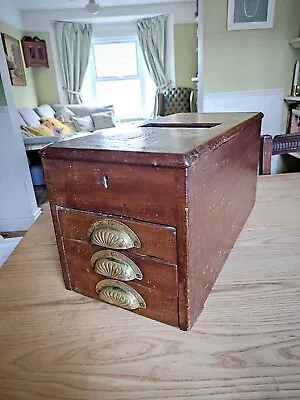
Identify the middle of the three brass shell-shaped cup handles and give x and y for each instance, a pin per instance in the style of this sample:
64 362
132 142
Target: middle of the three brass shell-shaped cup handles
115 265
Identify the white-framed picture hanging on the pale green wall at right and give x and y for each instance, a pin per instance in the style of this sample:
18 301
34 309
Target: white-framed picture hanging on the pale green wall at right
250 14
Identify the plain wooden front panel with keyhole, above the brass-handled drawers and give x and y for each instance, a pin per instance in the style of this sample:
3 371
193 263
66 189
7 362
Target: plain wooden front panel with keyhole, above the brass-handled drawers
145 193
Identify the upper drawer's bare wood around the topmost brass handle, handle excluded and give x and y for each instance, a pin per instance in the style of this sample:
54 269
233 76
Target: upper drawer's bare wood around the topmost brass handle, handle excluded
156 240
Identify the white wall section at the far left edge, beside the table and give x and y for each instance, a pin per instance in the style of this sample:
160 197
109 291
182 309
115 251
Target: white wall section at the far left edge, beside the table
18 208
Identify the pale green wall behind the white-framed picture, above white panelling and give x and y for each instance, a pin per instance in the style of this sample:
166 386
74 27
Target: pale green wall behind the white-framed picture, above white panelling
249 59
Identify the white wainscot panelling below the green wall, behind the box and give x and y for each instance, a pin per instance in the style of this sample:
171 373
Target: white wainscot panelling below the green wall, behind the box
268 101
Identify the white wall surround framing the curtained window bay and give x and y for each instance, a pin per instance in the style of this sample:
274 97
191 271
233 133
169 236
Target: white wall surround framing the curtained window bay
180 12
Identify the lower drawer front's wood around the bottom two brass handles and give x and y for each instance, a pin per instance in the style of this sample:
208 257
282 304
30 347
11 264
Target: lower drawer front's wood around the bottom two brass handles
158 287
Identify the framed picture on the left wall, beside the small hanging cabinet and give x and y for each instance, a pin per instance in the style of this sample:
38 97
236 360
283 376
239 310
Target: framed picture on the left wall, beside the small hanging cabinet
14 60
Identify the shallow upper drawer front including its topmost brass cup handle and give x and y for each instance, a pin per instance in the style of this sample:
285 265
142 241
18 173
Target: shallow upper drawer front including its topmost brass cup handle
119 234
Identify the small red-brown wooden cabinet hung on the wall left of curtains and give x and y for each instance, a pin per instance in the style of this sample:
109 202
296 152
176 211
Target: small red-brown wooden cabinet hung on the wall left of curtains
35 52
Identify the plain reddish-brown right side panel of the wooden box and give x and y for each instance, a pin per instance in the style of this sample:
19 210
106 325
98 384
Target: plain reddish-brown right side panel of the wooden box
222 191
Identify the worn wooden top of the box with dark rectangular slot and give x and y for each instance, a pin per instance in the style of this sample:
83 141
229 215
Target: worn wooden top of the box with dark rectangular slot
177 140
